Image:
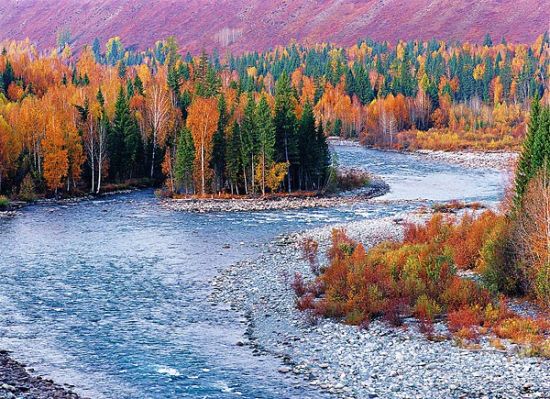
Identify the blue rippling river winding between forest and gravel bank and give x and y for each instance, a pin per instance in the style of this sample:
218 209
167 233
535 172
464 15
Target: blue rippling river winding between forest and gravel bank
110 295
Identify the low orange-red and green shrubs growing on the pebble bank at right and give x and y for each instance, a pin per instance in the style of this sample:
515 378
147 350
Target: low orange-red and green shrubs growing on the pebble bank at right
420 277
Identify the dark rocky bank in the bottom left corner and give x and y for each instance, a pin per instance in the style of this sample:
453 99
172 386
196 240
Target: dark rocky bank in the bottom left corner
16 382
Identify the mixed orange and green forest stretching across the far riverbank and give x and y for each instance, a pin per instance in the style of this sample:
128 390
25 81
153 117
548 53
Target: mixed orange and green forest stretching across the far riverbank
248 124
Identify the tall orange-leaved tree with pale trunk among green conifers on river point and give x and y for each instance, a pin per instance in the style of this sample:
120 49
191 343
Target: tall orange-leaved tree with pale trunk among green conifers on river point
203 121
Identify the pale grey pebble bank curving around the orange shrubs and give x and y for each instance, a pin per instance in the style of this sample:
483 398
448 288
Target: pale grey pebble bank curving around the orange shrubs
379 362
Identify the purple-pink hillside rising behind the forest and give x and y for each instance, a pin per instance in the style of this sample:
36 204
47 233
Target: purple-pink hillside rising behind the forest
259 24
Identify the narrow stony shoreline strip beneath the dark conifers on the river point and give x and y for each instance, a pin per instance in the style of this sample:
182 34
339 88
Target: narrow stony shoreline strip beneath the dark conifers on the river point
376 188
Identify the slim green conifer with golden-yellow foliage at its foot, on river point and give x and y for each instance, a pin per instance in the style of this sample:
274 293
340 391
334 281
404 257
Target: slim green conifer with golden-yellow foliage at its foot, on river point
266 141
